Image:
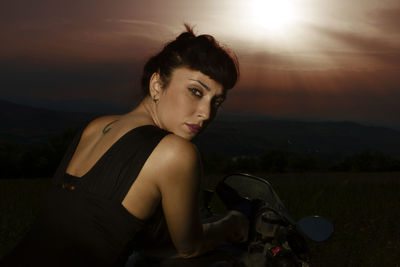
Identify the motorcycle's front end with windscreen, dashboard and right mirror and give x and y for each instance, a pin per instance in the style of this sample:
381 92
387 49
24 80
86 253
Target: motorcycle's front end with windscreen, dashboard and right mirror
275 239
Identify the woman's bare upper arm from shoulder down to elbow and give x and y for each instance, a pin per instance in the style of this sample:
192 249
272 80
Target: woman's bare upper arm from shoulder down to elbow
179 185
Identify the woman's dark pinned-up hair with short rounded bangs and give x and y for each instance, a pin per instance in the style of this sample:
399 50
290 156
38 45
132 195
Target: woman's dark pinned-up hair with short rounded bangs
202 53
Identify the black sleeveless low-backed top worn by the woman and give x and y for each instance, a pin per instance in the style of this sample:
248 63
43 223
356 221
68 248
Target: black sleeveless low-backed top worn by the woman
82 221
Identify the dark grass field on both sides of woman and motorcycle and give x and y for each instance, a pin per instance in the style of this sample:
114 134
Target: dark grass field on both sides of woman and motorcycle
364 207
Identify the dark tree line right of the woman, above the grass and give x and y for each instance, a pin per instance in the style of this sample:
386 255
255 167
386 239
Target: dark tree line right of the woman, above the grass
279 161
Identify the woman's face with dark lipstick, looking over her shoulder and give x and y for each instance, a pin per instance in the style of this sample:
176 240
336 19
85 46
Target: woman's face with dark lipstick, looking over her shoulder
189 102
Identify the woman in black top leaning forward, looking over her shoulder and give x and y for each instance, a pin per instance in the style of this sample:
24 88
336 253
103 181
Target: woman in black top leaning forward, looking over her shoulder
123 175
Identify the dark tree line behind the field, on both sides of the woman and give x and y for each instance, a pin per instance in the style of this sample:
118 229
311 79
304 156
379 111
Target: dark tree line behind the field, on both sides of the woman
41 160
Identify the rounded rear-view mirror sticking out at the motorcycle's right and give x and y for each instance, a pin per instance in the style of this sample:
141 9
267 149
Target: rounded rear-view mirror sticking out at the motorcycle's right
316 228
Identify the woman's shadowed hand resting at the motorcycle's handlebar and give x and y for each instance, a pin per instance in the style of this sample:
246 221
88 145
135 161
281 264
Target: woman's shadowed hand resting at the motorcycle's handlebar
240 227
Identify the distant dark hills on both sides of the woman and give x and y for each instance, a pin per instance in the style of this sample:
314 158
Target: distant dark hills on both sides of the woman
230 135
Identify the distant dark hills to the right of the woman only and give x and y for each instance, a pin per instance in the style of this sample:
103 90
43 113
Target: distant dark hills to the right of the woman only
241 137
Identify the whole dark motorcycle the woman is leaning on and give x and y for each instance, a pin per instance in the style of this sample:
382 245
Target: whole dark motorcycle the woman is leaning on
275 239
